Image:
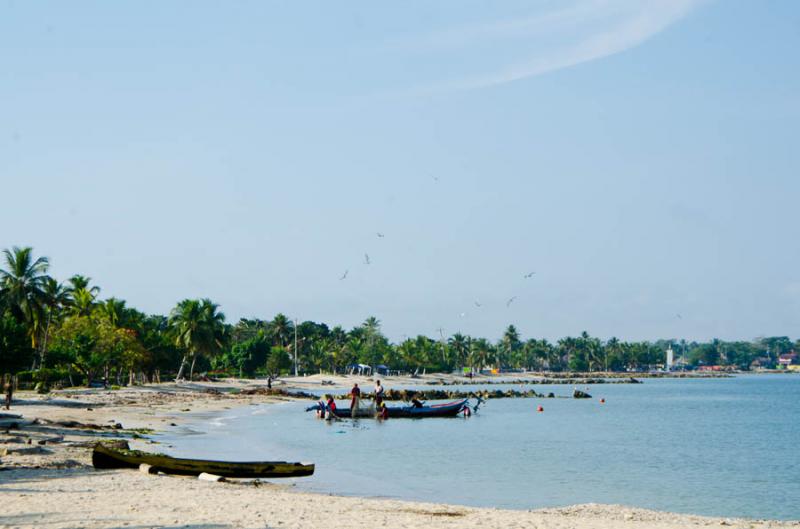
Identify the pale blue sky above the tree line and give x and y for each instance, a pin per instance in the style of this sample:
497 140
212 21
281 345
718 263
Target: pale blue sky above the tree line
641 157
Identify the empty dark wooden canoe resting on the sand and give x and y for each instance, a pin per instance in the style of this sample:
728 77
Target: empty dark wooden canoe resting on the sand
105 457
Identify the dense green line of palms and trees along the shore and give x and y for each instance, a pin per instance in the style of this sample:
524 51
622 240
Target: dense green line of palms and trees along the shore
63 331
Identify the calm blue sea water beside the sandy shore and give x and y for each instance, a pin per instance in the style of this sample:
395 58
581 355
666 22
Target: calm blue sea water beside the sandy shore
725 447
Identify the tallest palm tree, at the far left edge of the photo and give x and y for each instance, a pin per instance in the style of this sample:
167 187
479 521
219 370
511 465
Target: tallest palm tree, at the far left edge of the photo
22 287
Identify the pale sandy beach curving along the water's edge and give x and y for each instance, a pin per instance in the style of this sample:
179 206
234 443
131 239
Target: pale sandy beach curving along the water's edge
47 479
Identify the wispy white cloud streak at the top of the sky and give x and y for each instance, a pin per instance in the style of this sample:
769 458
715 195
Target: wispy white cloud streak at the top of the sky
579 33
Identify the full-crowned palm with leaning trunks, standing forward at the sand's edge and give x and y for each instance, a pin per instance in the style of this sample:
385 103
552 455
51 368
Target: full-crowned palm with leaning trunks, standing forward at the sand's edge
199 329
